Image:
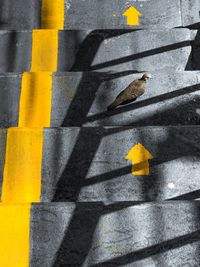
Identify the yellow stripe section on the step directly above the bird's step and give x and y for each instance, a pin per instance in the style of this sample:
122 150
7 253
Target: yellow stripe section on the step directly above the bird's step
44 50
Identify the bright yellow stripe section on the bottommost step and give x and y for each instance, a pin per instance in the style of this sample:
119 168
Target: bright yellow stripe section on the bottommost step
14 235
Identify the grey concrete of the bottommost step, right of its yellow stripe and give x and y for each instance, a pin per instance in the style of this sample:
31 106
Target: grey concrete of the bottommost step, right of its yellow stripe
162 234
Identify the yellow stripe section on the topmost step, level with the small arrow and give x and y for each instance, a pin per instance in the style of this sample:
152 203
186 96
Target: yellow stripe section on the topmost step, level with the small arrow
53 13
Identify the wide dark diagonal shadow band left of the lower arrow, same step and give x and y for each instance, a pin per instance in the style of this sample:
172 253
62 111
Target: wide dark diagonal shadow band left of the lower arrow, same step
74 174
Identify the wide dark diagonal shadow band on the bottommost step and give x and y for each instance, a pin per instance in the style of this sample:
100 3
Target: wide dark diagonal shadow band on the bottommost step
78 238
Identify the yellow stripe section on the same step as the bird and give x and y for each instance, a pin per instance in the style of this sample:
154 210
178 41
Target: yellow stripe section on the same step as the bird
35 100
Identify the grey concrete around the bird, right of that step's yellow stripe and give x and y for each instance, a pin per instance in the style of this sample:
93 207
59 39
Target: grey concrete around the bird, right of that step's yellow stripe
171 98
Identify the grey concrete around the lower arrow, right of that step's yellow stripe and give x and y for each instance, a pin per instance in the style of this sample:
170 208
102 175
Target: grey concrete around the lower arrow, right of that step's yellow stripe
88 164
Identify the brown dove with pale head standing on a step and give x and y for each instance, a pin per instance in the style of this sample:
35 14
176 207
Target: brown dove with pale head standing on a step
132 92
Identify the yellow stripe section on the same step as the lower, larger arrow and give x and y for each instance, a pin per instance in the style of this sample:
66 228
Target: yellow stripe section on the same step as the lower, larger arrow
23 165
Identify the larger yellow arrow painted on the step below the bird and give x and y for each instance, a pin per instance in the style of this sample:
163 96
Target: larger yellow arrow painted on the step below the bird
140 157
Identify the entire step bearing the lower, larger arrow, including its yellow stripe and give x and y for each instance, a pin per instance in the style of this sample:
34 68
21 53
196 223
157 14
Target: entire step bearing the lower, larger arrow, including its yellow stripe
88 164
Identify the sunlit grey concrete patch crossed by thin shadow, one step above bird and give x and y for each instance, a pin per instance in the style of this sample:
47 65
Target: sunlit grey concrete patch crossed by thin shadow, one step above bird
144 50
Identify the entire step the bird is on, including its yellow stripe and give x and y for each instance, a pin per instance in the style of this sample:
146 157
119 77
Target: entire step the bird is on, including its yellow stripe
171 98
